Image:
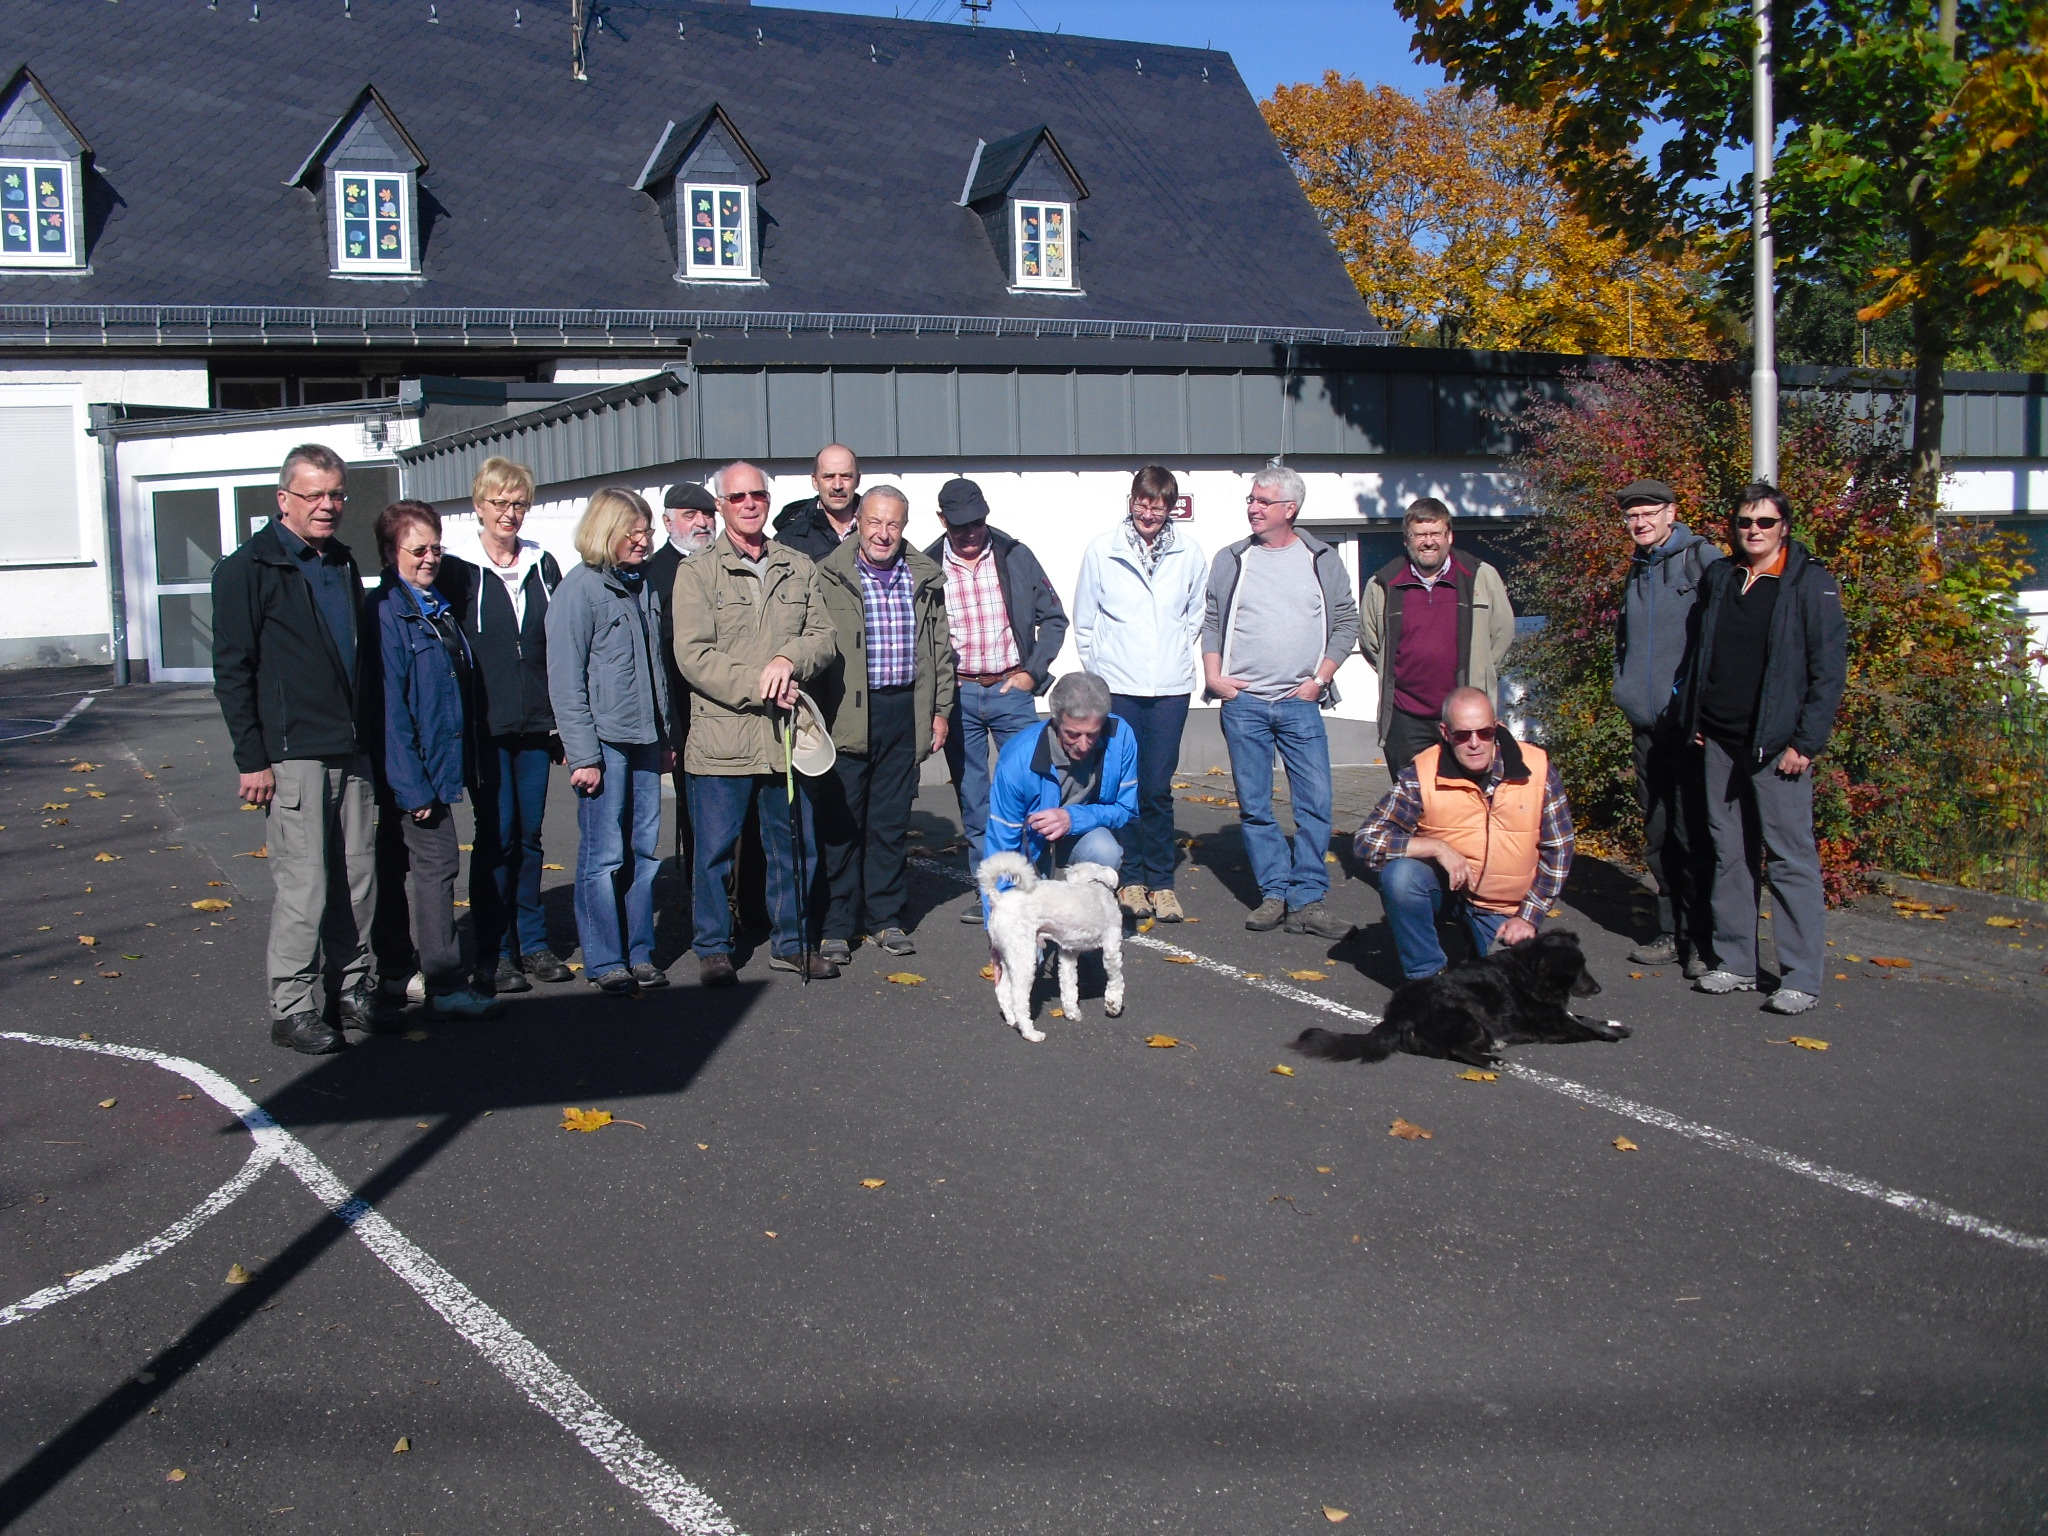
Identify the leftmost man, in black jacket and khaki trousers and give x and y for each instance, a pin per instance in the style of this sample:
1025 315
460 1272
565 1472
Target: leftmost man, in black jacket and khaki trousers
286 669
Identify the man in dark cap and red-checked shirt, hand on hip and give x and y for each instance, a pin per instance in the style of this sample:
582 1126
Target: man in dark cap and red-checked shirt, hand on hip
1007 628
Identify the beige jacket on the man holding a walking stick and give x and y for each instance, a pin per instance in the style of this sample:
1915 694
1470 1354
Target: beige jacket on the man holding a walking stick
730 624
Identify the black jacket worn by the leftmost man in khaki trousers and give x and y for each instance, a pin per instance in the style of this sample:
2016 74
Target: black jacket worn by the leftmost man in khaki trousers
284 685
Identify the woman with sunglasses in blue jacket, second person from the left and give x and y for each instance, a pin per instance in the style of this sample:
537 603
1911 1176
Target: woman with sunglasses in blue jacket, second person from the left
429 753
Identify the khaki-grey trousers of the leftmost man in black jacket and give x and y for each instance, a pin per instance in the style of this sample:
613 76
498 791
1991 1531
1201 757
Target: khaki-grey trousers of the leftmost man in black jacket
325 863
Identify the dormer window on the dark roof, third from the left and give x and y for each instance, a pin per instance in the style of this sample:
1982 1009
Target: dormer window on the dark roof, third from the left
706 177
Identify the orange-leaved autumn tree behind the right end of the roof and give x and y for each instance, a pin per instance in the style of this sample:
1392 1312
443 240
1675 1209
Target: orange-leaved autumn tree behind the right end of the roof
1453 224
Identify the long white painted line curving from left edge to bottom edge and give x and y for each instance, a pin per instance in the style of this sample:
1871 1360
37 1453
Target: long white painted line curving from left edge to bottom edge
667 1492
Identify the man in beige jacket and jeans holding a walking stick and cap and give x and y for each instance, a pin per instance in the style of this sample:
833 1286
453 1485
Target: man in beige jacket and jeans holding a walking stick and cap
751 630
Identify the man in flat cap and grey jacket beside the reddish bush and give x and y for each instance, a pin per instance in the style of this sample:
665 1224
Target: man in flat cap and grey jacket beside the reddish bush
1654 640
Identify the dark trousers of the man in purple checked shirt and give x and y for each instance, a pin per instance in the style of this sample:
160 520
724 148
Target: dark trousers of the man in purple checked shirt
863 816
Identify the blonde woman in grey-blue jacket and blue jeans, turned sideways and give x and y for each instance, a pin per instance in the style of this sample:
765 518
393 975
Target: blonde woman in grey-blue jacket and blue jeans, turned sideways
611 710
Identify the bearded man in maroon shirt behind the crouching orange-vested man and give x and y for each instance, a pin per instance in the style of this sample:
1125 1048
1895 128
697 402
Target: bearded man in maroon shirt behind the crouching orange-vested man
1431 622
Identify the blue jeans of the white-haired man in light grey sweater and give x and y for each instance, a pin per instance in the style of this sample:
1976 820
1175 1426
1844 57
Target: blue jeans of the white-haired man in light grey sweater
1287 869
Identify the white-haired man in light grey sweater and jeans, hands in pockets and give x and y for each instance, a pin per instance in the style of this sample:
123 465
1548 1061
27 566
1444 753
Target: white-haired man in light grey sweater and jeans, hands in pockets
1281 620
